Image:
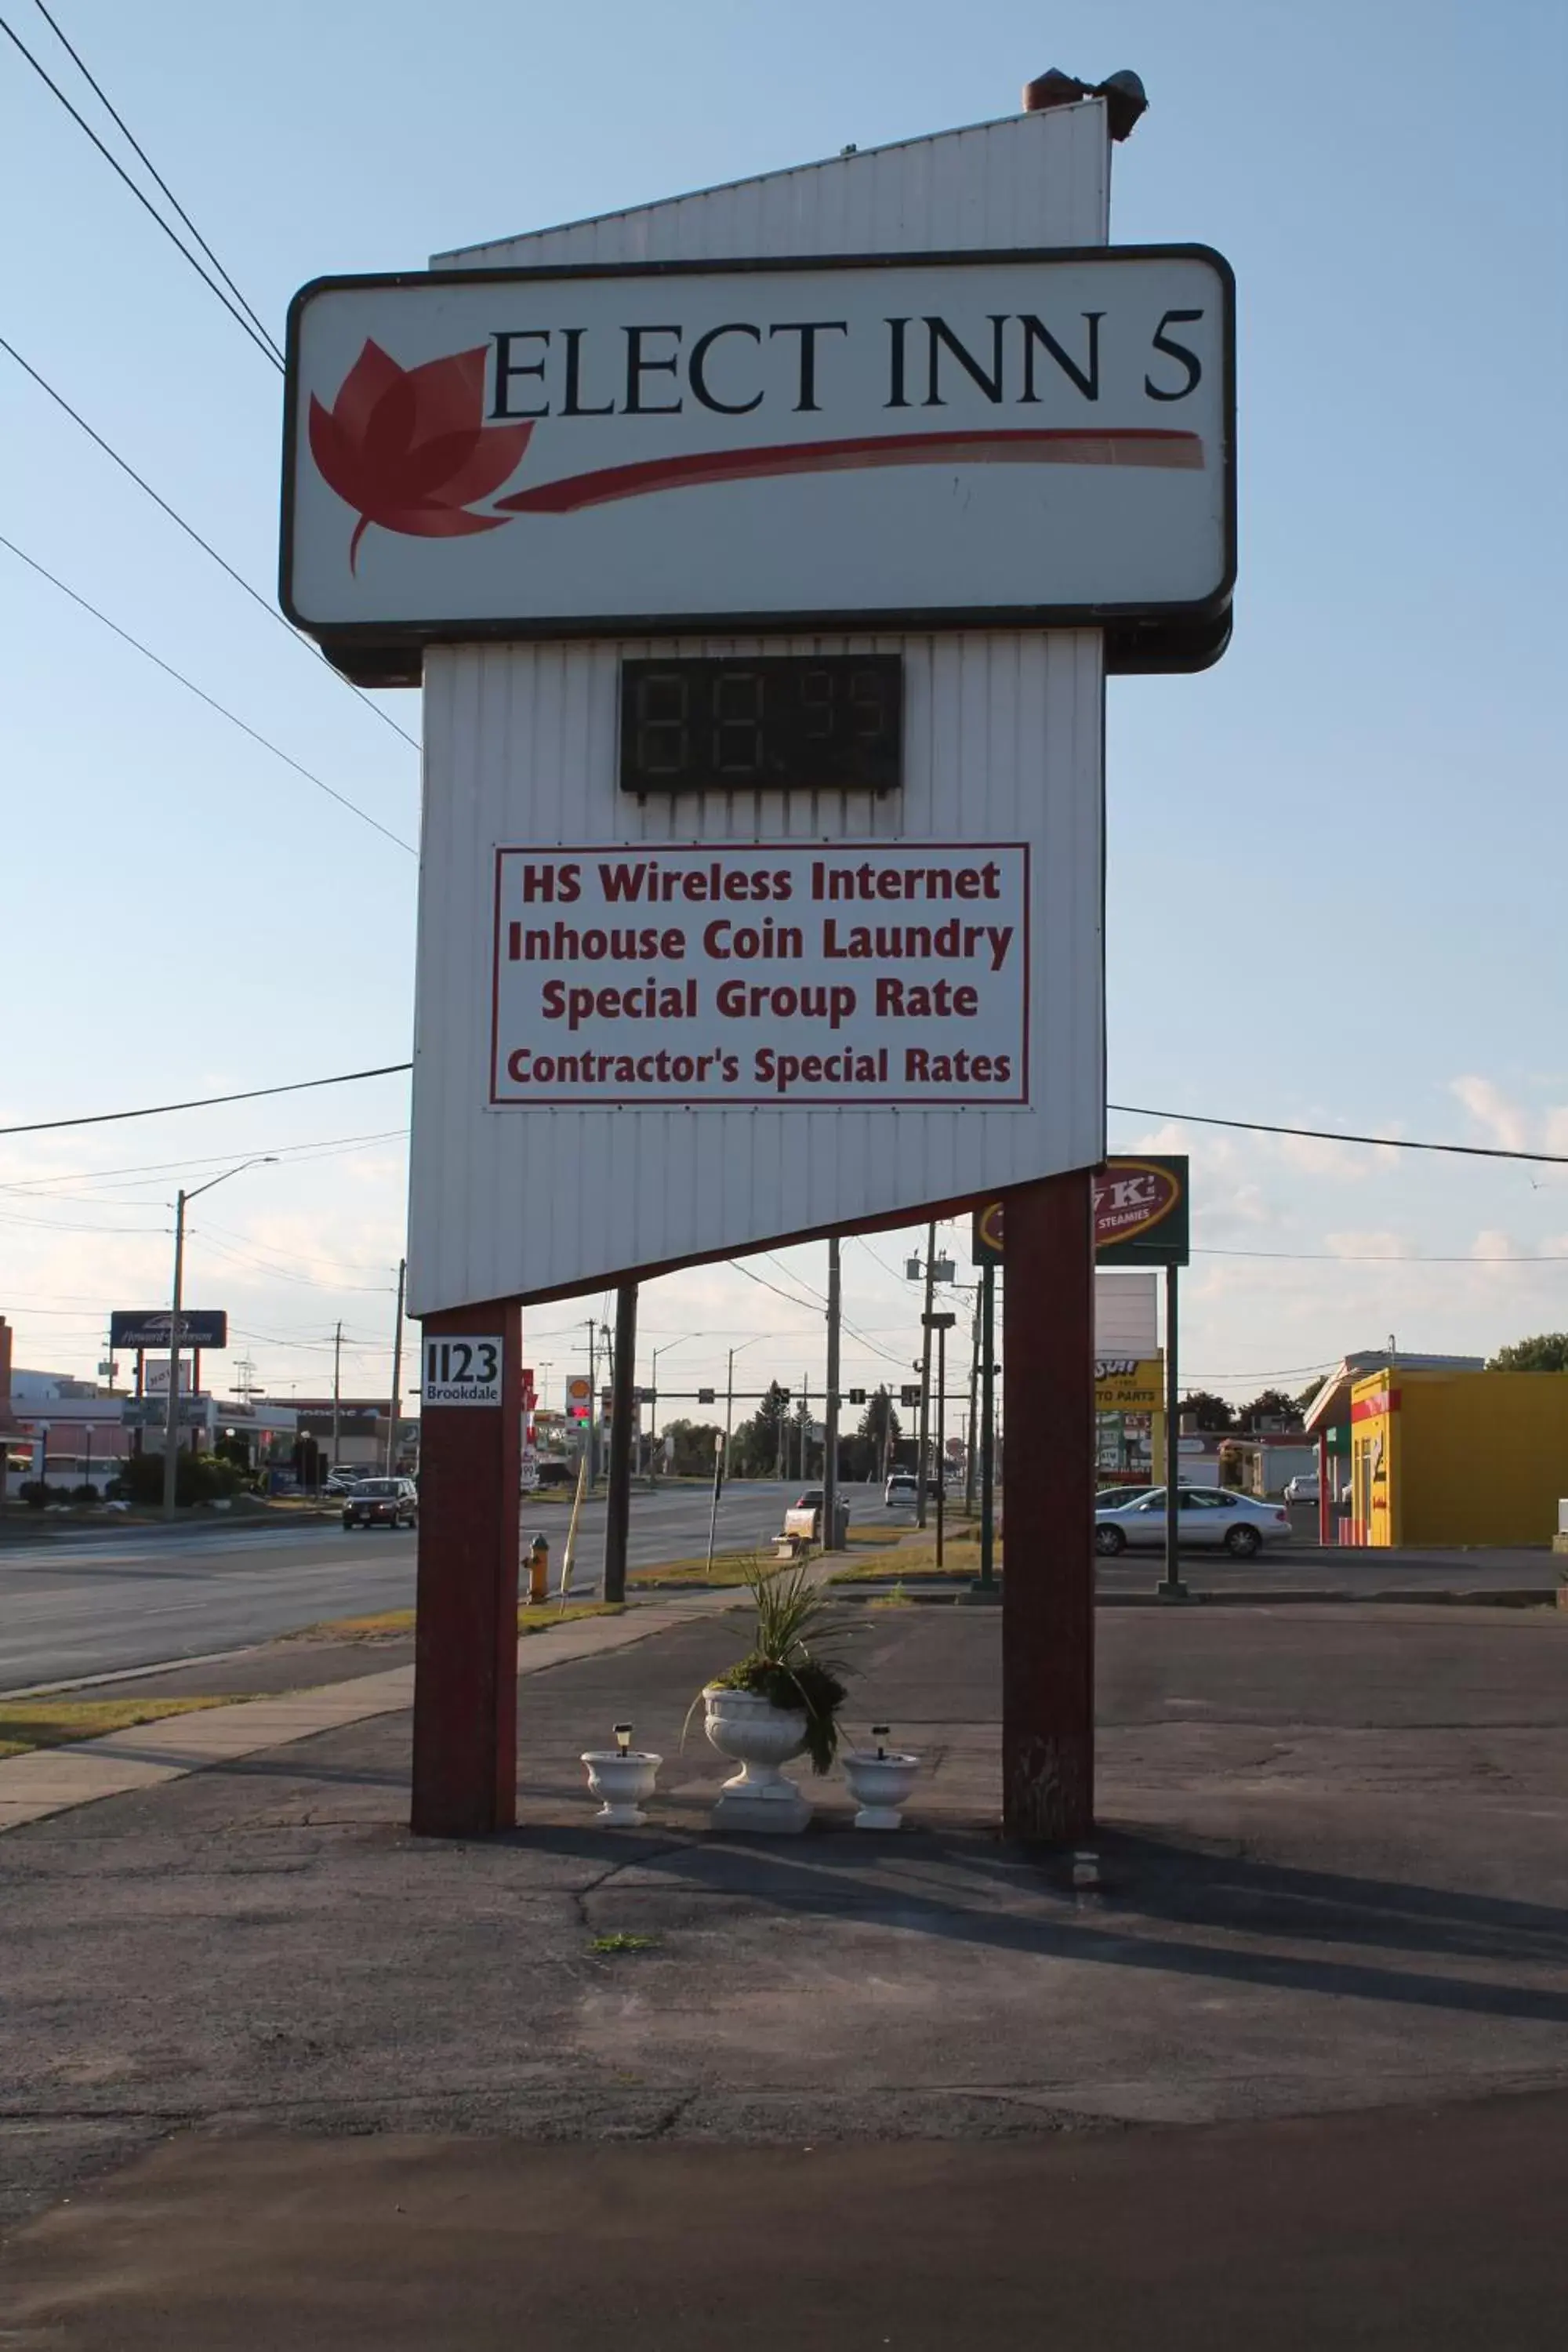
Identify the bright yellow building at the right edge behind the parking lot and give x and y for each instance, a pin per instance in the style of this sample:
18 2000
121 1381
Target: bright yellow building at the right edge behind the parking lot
1456 1457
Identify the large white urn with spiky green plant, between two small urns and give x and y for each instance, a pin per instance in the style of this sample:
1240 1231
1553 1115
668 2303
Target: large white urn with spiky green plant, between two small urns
775 1704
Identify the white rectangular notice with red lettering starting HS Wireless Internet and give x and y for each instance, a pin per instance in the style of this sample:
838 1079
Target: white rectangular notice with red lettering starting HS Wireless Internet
845 975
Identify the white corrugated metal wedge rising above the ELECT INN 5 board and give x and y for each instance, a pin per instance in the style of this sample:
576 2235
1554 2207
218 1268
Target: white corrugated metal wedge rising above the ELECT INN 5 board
1026 180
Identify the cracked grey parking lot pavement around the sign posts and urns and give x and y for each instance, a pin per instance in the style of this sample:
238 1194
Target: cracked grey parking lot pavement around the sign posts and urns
1334 1876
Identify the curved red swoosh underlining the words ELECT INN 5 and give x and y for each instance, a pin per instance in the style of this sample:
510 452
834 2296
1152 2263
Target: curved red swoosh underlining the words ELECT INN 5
1134 446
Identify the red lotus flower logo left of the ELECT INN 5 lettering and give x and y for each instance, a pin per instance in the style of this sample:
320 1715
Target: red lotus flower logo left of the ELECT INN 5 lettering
408 448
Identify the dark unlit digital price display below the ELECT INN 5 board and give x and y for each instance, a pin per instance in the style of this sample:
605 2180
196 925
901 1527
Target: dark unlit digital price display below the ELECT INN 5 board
784 723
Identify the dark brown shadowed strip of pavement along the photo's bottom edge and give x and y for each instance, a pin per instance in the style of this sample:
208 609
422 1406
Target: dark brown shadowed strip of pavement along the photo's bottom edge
1433 2229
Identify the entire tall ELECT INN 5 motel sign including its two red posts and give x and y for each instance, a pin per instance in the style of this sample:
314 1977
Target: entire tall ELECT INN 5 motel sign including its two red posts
763 559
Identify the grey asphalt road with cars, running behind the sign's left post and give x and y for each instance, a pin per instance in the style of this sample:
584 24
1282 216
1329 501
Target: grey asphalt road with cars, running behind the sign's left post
100 1605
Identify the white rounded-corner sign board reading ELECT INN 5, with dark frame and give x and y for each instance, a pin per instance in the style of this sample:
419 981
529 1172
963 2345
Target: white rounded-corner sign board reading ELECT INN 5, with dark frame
1005 439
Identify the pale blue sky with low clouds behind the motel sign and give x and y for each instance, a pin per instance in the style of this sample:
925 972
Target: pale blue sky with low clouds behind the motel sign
1336 862
